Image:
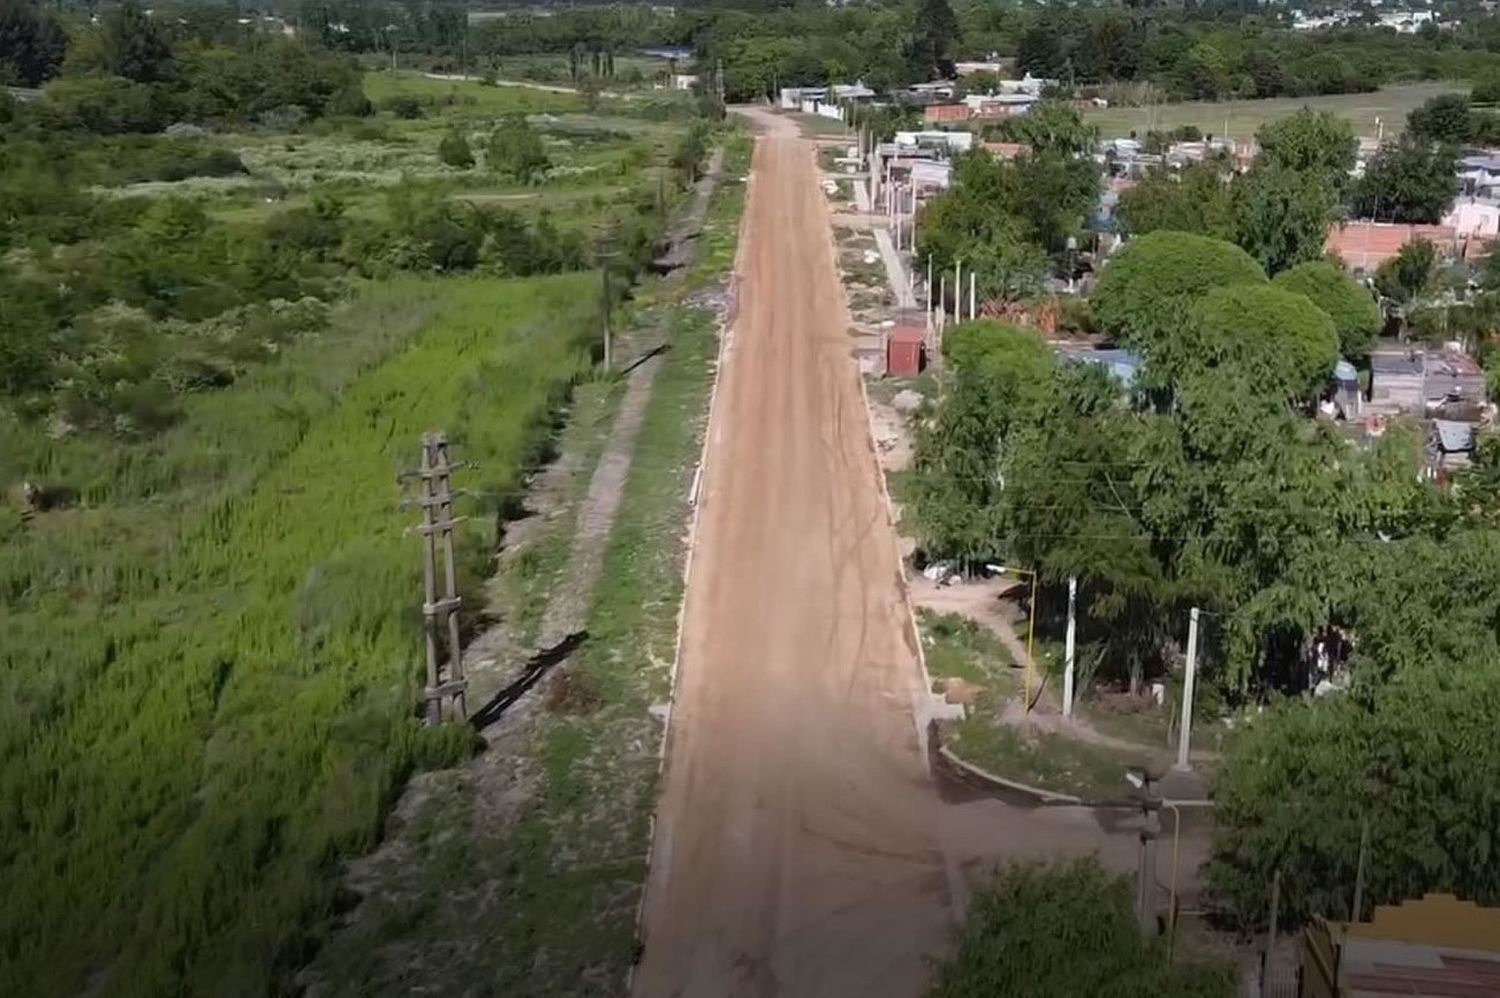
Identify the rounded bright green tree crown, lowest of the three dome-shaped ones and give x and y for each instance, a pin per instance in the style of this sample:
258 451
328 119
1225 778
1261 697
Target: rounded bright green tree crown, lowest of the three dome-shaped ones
1276 341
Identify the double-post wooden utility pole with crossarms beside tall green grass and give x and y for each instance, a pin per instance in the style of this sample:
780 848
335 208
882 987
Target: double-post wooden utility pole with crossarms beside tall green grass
440 615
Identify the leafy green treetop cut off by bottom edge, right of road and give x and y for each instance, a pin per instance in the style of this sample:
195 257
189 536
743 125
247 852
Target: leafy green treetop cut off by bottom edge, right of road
1064 931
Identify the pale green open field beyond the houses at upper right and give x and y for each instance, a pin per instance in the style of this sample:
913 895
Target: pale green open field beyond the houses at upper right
1240 119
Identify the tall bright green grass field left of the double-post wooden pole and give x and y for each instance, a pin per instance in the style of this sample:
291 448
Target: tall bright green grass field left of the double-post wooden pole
209 697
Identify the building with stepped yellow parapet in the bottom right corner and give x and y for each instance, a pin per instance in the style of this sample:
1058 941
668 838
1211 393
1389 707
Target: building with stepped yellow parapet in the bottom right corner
1436 946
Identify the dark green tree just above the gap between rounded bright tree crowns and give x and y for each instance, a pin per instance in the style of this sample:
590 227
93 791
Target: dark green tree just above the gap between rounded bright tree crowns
1282 215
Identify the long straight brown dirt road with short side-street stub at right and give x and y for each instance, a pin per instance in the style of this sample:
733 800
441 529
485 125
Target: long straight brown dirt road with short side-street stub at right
800 846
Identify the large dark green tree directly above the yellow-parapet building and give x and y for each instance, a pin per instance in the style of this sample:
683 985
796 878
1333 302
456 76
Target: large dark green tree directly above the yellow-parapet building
1415 760
